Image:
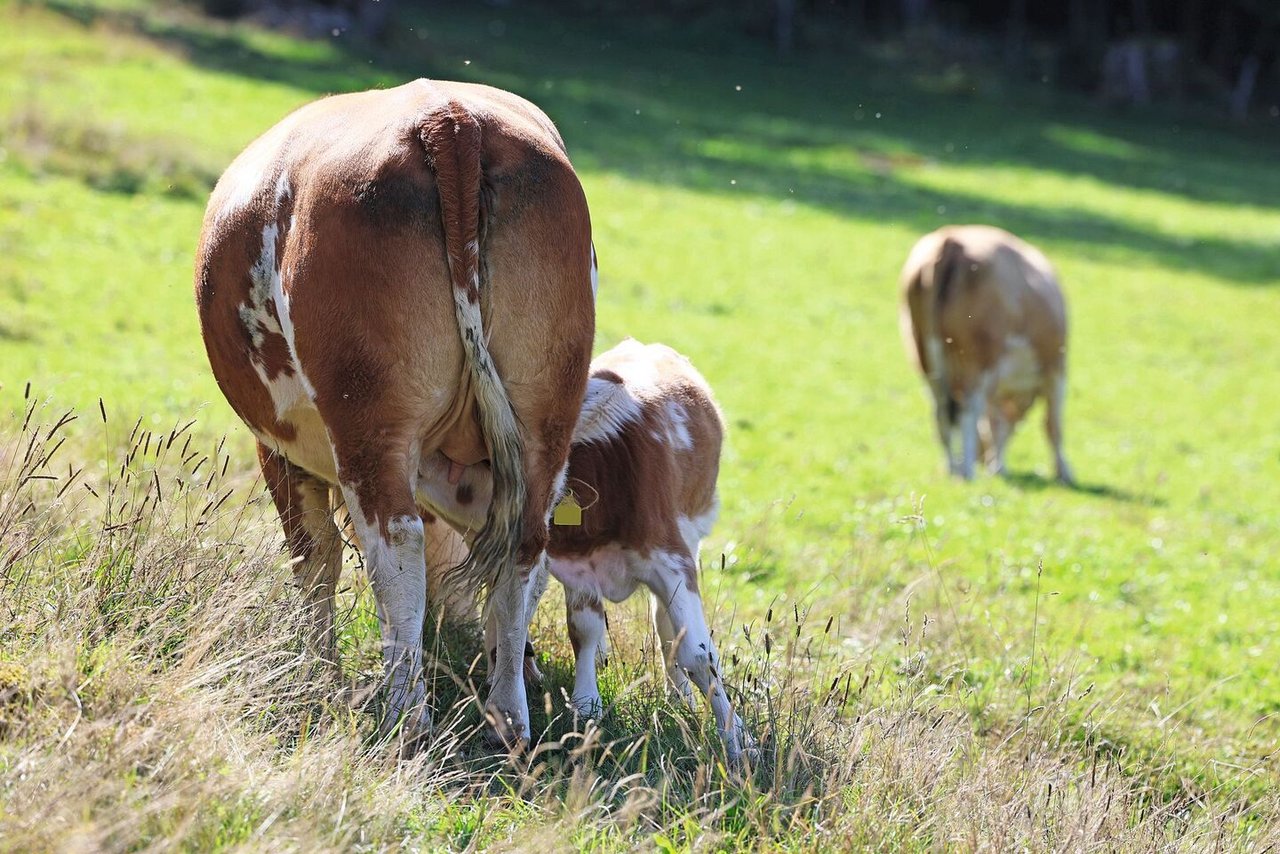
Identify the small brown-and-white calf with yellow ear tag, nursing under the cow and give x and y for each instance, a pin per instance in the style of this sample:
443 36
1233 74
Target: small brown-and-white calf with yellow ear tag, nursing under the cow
644 464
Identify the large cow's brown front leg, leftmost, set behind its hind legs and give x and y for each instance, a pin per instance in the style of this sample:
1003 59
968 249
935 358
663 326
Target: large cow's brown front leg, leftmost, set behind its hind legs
307 515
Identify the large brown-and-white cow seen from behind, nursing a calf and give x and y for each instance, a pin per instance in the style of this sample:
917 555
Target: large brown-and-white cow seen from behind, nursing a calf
395 286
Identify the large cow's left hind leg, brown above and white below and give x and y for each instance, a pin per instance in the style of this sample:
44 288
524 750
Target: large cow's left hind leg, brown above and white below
376 485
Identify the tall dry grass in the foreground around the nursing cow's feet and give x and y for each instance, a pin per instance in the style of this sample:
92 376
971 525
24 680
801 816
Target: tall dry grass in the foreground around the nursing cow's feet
156 695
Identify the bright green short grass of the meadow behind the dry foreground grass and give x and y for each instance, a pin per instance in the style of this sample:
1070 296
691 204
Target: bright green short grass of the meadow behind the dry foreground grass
755 216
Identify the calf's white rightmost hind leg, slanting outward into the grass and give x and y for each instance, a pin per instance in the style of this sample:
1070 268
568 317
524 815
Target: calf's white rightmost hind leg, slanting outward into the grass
673 577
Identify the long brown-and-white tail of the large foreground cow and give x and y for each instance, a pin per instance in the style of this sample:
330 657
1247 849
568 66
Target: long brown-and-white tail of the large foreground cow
451 136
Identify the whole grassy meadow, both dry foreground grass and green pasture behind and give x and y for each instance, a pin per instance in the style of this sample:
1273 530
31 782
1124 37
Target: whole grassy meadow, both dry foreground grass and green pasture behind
930 665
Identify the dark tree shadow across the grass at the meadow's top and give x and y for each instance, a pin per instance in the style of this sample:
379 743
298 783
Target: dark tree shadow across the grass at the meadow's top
839 134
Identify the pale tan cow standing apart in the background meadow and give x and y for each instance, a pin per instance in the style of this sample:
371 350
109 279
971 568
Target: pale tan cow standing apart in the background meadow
984 317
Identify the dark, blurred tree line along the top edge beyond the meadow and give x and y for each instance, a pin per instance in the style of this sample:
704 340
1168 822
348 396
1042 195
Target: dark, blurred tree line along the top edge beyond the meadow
1223 53
